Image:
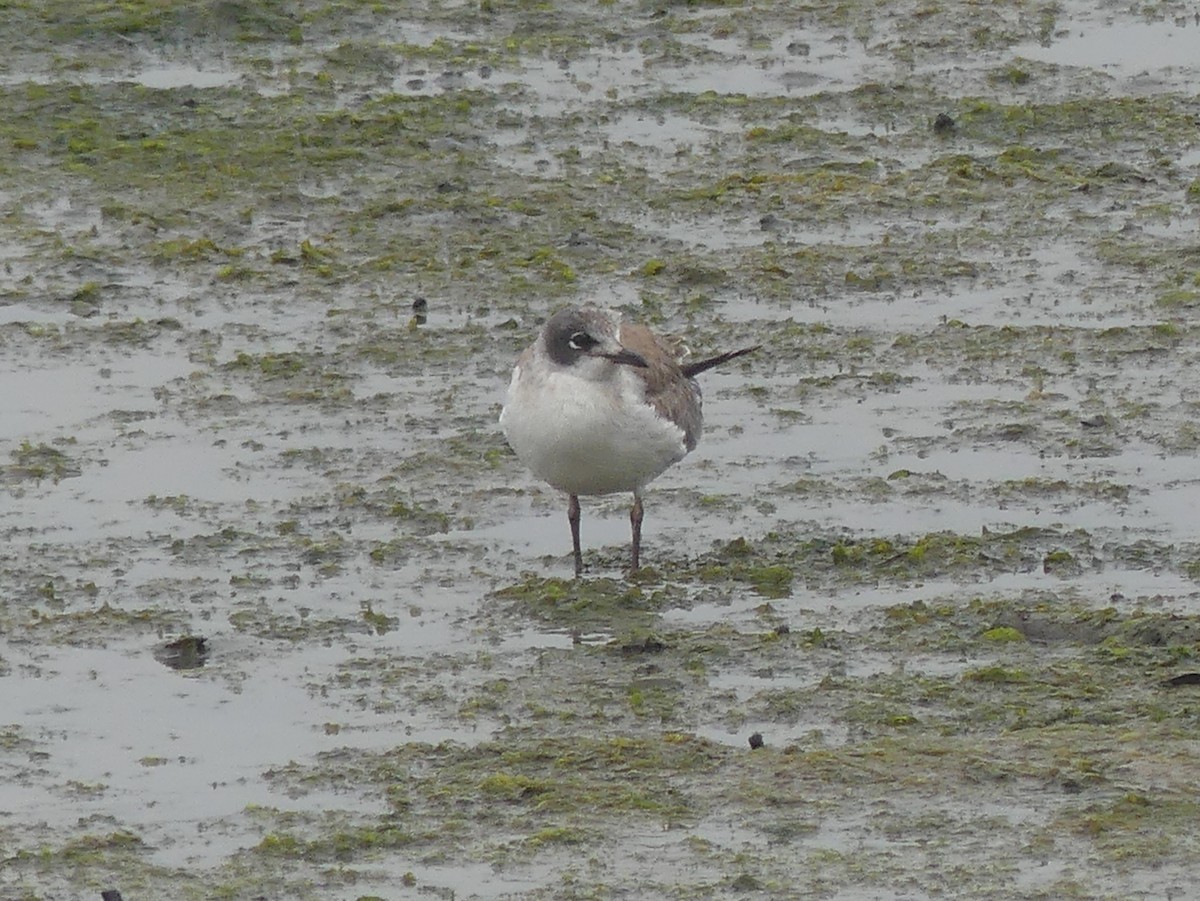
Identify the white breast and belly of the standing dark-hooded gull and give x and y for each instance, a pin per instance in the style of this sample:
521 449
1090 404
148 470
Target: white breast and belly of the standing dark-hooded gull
589 437
